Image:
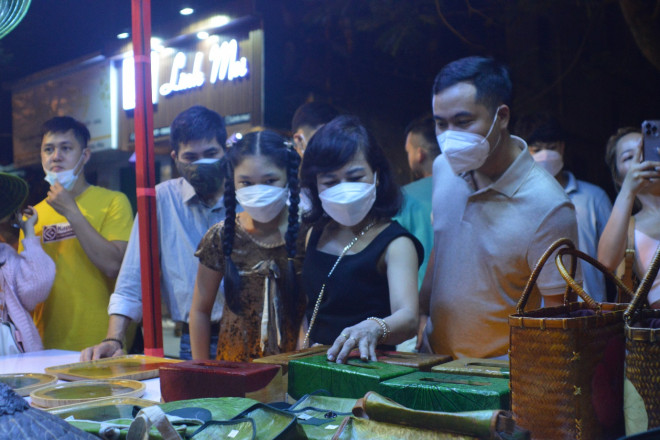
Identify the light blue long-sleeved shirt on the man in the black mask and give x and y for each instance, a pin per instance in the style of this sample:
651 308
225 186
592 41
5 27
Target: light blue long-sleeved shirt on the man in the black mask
183 219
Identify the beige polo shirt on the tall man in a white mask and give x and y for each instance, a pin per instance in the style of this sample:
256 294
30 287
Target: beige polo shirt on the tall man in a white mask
486 244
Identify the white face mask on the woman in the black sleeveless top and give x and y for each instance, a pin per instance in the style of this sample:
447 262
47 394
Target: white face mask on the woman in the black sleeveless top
348 203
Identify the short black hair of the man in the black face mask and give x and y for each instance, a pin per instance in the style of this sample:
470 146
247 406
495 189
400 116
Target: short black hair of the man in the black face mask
197 123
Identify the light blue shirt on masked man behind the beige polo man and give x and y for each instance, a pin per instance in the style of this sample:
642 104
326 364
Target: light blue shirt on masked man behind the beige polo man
593 209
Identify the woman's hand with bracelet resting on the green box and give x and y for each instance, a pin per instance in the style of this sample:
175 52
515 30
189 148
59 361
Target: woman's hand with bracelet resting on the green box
363 336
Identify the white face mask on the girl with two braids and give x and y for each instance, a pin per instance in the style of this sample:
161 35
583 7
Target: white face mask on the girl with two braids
262 202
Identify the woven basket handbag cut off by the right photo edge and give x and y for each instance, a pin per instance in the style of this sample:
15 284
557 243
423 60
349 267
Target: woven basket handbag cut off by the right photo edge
642 373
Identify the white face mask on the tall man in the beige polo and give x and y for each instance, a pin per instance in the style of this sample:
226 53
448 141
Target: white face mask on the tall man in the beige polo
465 151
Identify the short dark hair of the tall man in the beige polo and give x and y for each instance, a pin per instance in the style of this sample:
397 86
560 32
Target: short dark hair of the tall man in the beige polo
489 77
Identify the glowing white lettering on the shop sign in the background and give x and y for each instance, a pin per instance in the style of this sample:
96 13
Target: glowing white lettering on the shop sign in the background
225 65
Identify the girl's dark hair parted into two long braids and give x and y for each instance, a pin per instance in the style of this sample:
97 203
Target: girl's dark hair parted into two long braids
269 144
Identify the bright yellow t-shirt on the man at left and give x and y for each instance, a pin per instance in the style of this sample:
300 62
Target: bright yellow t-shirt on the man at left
75 315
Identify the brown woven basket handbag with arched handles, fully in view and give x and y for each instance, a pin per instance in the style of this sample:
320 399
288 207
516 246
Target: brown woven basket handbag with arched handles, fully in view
567 361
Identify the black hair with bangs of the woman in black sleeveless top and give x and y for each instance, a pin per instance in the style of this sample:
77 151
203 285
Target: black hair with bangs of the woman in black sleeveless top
332 147
